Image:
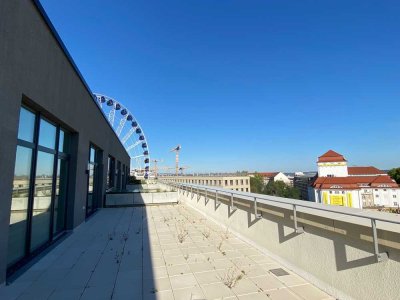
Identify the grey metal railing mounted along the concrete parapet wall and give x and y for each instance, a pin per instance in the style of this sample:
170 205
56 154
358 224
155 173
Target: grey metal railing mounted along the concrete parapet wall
284 203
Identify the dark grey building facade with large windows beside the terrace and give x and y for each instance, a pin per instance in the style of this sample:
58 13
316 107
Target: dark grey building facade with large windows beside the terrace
58 153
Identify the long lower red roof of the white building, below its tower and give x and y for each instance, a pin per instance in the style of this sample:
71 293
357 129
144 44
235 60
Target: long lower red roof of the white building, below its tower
354 182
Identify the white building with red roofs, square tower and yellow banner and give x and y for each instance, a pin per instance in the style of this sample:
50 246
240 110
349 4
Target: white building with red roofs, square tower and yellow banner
360 187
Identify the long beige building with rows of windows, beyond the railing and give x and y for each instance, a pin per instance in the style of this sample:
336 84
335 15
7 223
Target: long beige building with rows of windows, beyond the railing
236 183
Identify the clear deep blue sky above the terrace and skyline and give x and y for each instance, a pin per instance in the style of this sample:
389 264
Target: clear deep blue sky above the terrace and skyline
246 85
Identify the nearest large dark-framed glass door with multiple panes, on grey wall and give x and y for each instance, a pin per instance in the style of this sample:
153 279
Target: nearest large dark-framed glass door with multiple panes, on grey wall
40 186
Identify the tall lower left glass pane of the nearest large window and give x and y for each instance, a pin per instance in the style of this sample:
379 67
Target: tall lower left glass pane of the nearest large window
19 205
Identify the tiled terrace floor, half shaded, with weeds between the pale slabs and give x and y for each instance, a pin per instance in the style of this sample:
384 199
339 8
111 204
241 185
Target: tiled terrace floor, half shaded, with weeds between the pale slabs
158 252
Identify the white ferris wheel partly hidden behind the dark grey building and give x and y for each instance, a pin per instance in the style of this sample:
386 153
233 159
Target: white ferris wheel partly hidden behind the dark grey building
129 132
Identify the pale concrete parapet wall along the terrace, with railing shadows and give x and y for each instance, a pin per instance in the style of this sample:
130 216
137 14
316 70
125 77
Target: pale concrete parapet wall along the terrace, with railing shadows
334 252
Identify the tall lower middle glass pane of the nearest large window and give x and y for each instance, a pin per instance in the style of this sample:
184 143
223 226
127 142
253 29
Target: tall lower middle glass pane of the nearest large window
41 214
